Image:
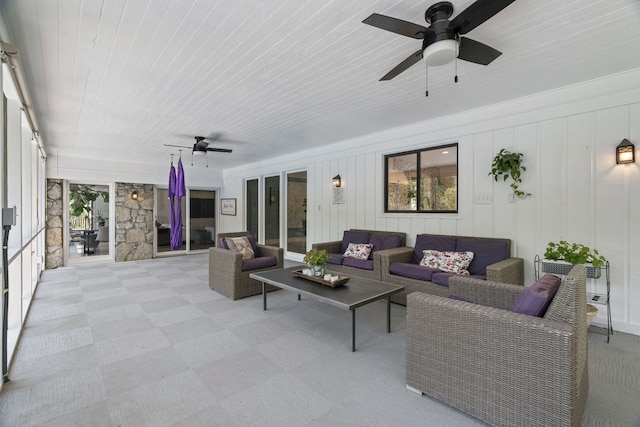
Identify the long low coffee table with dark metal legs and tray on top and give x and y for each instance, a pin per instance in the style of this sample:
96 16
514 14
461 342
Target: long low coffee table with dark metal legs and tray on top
355 293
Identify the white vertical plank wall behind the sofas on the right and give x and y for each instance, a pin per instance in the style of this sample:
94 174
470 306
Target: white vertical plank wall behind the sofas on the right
578 192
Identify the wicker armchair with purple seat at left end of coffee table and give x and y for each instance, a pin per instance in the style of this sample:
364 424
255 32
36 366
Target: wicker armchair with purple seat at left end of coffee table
226 273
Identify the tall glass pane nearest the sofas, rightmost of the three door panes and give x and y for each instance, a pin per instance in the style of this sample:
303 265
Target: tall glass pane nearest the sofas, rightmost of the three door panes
297 212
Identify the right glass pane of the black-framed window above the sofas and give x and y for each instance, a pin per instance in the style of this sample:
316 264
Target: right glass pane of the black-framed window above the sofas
439 179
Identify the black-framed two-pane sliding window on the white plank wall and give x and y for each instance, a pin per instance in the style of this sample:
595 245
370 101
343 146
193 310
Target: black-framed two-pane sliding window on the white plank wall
423 180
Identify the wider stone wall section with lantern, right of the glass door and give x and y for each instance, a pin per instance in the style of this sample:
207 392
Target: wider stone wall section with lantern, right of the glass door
134 222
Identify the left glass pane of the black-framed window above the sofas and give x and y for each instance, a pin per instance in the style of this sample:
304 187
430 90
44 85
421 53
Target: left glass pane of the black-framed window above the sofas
402 182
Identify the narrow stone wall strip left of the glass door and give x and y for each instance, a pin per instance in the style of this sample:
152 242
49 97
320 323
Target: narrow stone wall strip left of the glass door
54 256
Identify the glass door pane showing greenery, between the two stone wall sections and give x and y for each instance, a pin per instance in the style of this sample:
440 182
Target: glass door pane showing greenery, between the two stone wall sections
88 221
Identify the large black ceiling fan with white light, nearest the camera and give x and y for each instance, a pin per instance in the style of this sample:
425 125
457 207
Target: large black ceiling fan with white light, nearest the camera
441 41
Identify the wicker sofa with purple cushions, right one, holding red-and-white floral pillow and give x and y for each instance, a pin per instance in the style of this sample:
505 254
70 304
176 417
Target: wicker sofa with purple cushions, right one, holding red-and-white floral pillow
492 261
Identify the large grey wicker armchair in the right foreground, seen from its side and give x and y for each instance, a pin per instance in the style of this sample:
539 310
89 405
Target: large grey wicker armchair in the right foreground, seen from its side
505 368
